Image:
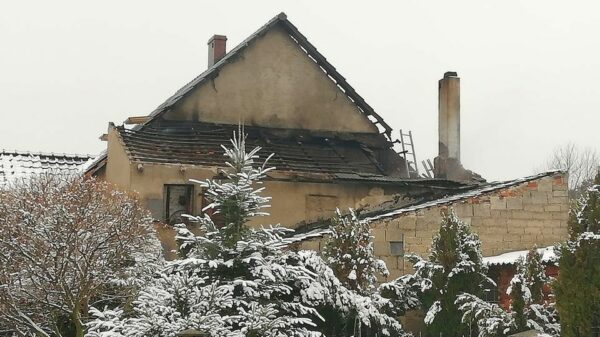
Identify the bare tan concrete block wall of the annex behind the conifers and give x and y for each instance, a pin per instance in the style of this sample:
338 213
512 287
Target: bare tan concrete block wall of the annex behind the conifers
510 219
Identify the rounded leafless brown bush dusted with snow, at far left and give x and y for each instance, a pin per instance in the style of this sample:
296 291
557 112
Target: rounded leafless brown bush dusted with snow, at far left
68 243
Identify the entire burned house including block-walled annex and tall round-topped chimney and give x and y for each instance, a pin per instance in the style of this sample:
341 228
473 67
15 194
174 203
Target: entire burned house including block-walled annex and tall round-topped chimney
331 150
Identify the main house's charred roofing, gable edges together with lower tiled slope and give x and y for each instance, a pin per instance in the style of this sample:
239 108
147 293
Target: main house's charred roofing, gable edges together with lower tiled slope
352 160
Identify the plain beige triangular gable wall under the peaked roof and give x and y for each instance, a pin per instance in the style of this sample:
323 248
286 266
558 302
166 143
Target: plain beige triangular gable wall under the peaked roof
273 83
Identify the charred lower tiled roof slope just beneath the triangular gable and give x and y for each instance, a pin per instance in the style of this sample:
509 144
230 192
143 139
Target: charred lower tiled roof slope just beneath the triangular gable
199 143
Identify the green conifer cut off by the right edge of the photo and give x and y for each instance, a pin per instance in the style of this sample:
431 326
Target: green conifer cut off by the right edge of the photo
577 288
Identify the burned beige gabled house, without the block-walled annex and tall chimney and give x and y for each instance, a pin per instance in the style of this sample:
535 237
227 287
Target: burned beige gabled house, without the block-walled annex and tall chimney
331 149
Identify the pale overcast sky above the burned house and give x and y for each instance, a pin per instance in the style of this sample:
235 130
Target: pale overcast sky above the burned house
530 70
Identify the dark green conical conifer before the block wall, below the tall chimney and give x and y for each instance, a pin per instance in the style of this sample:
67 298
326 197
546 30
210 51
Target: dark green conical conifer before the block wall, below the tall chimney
454 267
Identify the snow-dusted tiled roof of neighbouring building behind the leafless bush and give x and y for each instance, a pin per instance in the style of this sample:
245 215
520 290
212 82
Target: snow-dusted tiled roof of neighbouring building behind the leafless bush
15 165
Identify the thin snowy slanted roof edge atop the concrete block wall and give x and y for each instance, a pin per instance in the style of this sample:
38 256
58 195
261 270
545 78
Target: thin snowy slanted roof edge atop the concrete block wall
487 188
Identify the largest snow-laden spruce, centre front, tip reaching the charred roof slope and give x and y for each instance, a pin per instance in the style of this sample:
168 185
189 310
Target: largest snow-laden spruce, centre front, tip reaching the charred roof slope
240 281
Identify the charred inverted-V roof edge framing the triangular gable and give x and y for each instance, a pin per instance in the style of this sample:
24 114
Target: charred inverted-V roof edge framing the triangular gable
282 21
